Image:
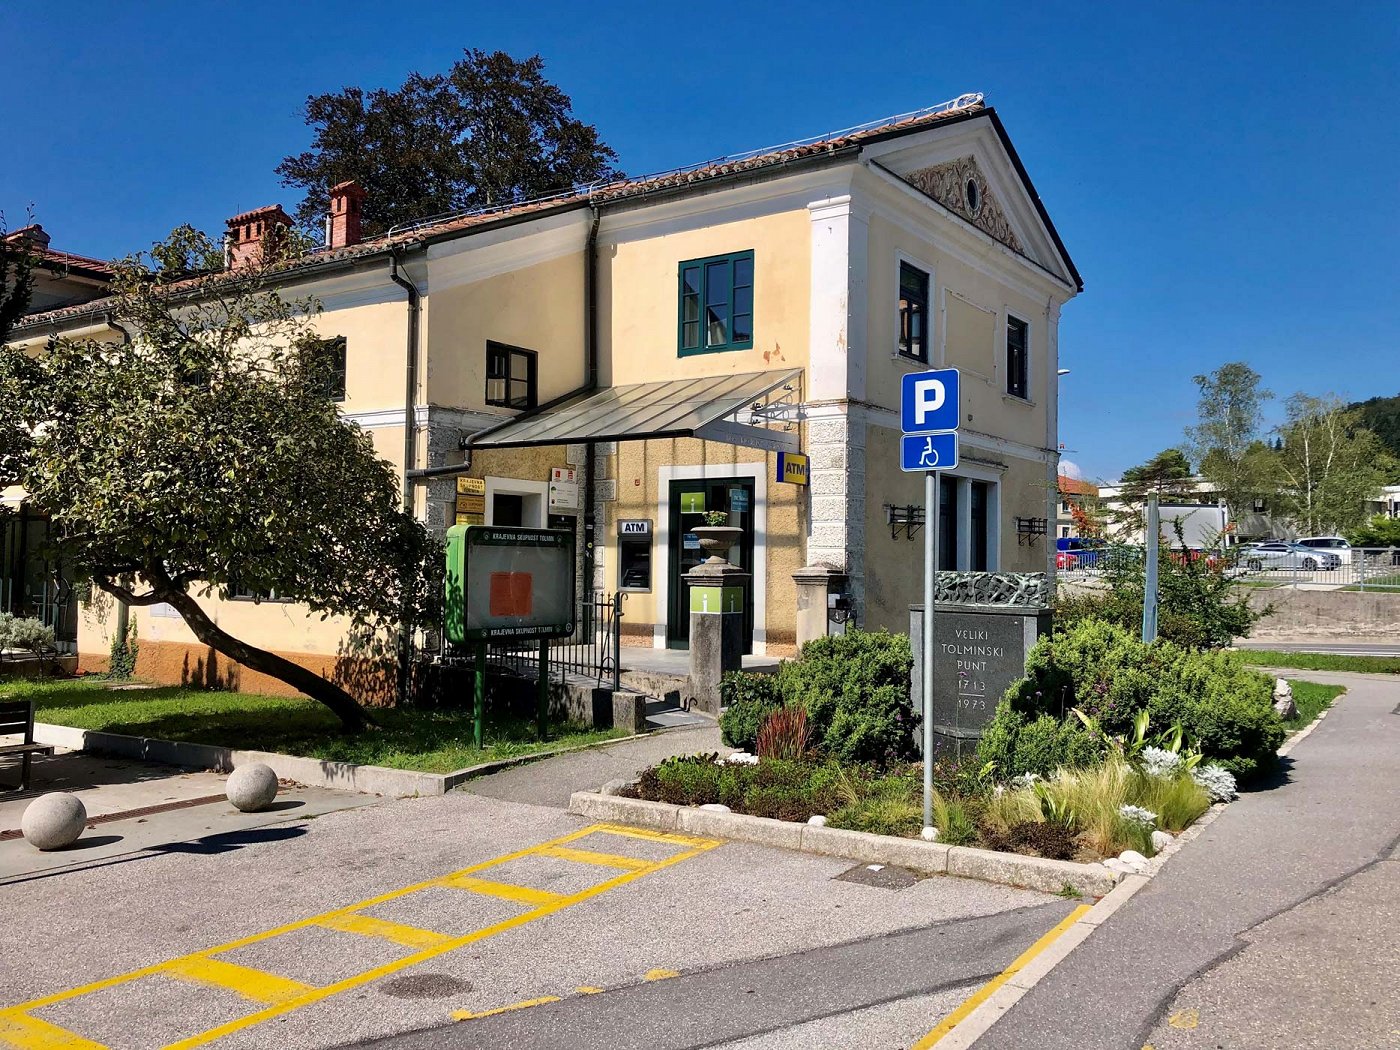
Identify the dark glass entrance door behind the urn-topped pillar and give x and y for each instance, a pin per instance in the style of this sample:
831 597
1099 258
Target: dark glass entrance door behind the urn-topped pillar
689 503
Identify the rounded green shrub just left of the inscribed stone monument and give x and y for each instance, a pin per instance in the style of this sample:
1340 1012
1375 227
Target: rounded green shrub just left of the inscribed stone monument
856 691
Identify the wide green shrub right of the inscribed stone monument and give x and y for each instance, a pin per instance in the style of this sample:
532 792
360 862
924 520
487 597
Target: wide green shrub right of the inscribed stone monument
1224 708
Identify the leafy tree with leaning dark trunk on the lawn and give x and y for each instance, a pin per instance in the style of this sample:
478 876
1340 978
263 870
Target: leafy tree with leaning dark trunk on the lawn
205 456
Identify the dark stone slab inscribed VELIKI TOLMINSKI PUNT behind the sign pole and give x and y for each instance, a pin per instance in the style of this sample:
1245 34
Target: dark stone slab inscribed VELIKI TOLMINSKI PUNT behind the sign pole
979 652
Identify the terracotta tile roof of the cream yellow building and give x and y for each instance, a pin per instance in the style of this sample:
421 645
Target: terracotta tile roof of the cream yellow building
447 226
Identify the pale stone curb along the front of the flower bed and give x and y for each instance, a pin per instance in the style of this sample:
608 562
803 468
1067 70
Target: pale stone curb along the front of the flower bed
1031 873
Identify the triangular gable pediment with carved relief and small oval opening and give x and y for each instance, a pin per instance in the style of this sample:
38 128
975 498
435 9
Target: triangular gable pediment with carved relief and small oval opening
971 169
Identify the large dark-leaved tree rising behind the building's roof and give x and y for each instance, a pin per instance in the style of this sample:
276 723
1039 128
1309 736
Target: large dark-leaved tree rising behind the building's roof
492 131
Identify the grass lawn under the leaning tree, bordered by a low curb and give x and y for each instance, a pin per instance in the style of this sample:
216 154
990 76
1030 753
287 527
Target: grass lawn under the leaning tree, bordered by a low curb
408 738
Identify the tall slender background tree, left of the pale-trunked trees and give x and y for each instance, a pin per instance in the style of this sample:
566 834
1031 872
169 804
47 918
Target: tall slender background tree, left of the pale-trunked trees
1227 442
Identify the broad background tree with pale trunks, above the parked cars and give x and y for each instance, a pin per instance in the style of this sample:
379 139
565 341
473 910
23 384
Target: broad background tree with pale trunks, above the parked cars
1329 465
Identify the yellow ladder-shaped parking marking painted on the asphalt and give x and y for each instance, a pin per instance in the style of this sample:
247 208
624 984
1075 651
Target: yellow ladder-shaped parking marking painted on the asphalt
282 995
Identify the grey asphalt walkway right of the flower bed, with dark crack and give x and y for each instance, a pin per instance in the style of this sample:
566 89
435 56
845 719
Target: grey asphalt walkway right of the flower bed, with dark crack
1279 927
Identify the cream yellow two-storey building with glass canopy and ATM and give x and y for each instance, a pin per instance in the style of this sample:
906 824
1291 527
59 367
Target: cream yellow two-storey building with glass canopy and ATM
625 359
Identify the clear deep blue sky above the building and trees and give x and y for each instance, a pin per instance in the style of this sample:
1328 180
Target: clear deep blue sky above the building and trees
1223 174
